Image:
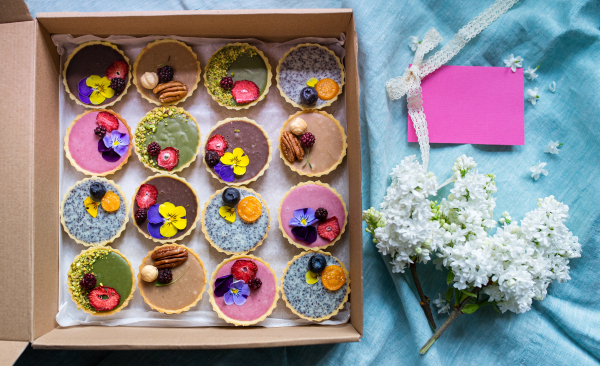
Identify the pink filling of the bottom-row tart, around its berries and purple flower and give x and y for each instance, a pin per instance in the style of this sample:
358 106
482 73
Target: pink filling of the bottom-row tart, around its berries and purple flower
257 303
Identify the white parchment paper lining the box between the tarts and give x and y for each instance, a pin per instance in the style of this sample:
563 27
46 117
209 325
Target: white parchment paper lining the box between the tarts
270 113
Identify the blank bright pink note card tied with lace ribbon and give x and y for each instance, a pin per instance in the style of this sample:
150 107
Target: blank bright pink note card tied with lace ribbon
473 105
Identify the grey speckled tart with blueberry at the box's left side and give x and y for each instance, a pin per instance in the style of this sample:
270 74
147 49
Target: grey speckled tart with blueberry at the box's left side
81 226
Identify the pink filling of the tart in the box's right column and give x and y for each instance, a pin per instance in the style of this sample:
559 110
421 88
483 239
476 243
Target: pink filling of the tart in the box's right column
311 196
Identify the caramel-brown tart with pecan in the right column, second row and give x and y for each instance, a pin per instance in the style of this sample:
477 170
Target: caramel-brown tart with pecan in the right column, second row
329 148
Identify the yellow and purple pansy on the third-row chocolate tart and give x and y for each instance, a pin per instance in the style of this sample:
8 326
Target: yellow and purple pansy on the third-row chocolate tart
165 220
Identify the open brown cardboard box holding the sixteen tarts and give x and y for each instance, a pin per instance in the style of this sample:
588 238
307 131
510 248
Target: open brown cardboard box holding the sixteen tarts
30 216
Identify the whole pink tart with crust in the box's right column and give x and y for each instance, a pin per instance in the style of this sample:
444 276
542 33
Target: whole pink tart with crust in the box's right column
311 195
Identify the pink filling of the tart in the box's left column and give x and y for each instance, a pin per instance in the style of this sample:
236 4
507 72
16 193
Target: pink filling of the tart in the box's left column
83 145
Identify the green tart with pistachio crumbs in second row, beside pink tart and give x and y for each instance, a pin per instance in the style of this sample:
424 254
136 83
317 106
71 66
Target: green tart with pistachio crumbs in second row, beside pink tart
169 127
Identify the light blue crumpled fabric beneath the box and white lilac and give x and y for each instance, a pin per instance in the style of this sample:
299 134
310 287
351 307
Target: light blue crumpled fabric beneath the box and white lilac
563 36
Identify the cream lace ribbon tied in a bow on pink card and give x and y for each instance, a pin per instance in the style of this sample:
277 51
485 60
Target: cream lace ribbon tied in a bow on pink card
410 82
